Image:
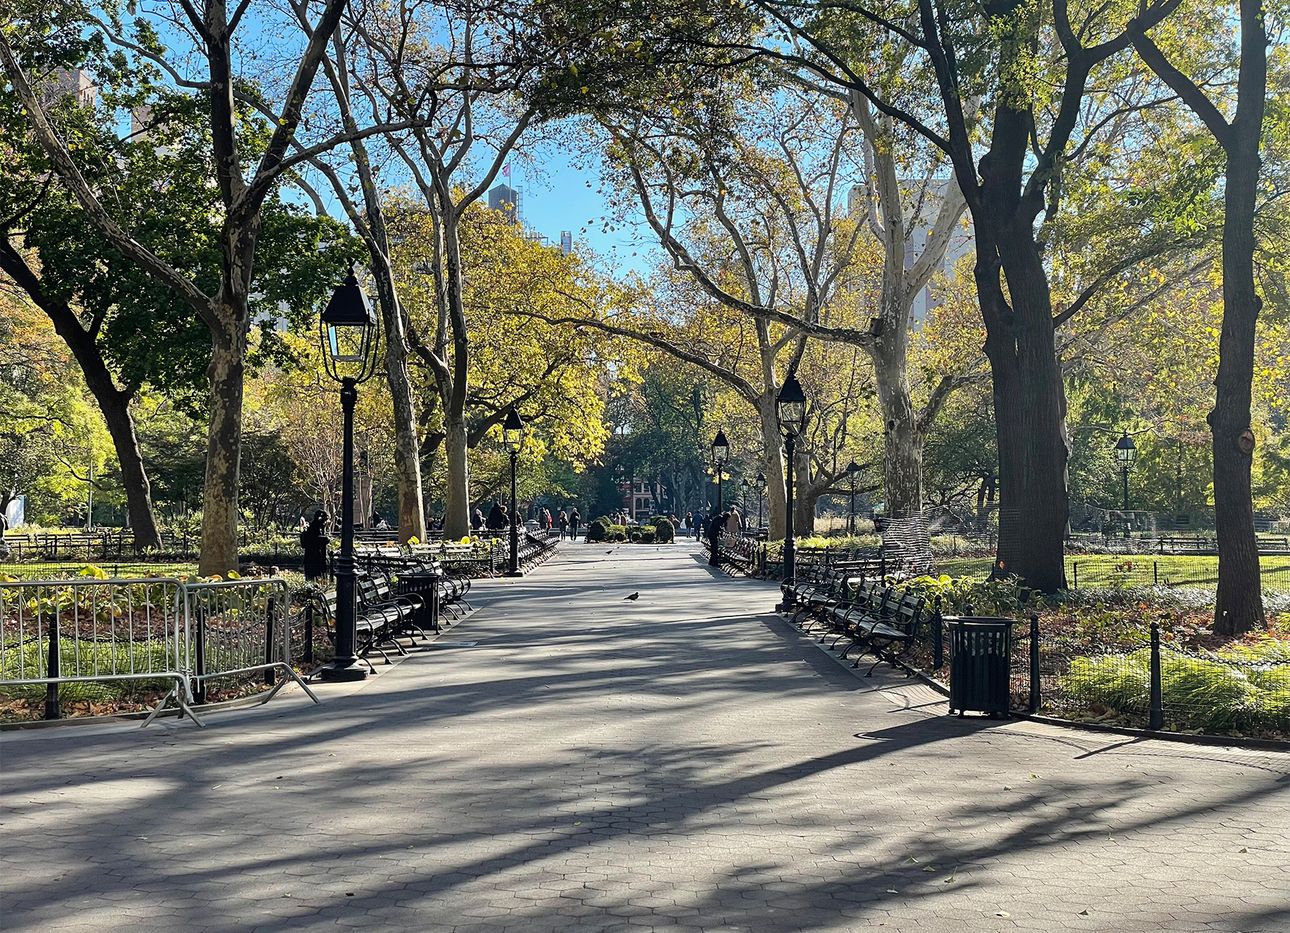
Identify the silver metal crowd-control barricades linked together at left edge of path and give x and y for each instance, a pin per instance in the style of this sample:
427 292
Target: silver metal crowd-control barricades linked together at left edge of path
155 641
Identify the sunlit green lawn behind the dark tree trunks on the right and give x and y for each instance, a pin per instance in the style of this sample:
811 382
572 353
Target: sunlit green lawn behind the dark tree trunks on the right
1135 570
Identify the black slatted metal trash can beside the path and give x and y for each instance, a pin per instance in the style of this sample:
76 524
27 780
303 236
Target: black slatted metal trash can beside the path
981 648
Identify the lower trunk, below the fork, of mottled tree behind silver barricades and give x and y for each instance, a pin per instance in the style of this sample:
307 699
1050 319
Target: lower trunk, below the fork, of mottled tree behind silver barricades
224 447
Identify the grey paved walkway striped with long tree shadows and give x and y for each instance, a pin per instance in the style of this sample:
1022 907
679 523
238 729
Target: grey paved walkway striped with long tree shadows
684 762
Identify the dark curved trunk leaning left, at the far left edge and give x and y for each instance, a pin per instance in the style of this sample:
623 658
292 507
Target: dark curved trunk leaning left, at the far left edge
113 403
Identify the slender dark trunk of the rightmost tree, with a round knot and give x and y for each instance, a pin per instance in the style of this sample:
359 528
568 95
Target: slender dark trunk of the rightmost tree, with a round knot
1240 602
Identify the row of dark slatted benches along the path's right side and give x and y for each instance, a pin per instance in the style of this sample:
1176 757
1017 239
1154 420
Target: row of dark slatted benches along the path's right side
860 603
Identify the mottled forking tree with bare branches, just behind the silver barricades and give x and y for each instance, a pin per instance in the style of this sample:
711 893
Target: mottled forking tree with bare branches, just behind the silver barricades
225 305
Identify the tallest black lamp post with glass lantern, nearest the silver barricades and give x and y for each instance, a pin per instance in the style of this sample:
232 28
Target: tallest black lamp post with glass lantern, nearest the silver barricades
350 335
